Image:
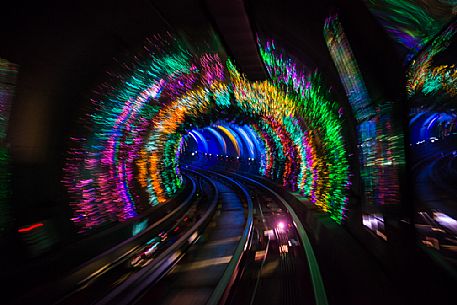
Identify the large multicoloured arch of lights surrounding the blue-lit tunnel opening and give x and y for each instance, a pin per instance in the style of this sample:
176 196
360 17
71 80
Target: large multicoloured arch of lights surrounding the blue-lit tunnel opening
130 159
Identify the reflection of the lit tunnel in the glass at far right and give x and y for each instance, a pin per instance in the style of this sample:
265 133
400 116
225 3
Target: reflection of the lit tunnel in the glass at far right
432 92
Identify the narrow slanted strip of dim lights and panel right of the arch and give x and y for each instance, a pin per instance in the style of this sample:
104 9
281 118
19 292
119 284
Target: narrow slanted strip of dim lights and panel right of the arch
380 147
